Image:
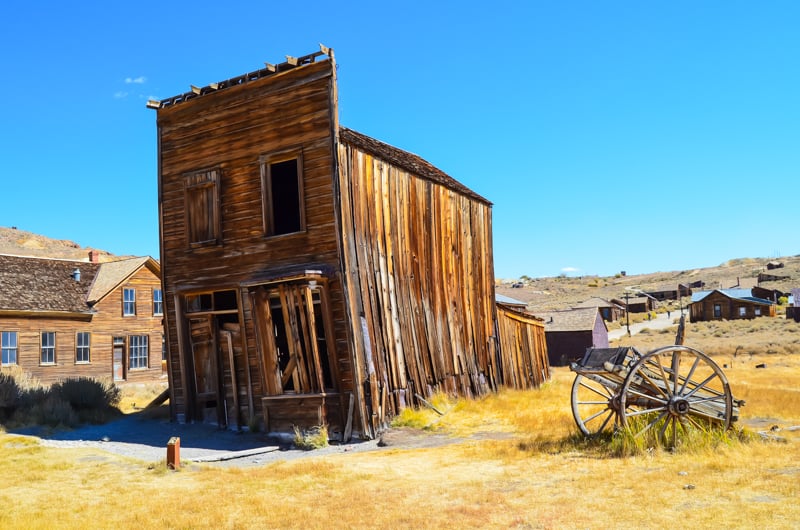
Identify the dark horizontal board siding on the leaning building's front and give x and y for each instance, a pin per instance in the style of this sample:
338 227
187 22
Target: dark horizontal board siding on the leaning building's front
230 130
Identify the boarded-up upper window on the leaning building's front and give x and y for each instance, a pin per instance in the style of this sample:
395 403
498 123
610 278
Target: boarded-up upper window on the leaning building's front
202 207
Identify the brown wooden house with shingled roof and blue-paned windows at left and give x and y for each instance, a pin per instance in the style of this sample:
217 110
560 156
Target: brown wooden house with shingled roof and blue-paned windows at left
64 318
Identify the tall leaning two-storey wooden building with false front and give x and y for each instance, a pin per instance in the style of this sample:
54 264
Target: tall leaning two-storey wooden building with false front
313 274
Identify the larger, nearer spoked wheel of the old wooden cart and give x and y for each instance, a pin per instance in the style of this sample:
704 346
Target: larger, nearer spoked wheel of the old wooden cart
672 391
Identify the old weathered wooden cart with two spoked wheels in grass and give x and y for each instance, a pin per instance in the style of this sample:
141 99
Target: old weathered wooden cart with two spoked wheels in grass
669 391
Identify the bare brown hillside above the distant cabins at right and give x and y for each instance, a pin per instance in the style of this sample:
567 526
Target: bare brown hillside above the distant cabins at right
564 292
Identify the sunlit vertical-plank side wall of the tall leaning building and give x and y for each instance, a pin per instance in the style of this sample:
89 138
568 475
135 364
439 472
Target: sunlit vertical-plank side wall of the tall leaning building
419 266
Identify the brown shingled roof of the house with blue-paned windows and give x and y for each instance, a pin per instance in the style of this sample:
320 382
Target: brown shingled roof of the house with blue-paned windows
46 285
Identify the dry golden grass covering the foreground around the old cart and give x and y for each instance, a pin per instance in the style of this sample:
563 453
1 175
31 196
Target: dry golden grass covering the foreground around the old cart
515 463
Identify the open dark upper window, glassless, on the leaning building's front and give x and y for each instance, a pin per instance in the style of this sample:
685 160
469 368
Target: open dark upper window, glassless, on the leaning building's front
282 190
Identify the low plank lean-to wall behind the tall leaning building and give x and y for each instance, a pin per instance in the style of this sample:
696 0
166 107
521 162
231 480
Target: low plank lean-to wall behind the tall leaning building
523 349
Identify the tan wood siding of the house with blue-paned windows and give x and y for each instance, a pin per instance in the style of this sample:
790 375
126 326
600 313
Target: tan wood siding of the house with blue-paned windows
106 323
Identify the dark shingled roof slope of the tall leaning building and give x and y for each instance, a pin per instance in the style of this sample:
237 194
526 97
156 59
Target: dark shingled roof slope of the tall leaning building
407 161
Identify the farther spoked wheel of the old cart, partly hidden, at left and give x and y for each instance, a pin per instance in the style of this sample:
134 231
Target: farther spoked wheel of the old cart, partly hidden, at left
595 406
